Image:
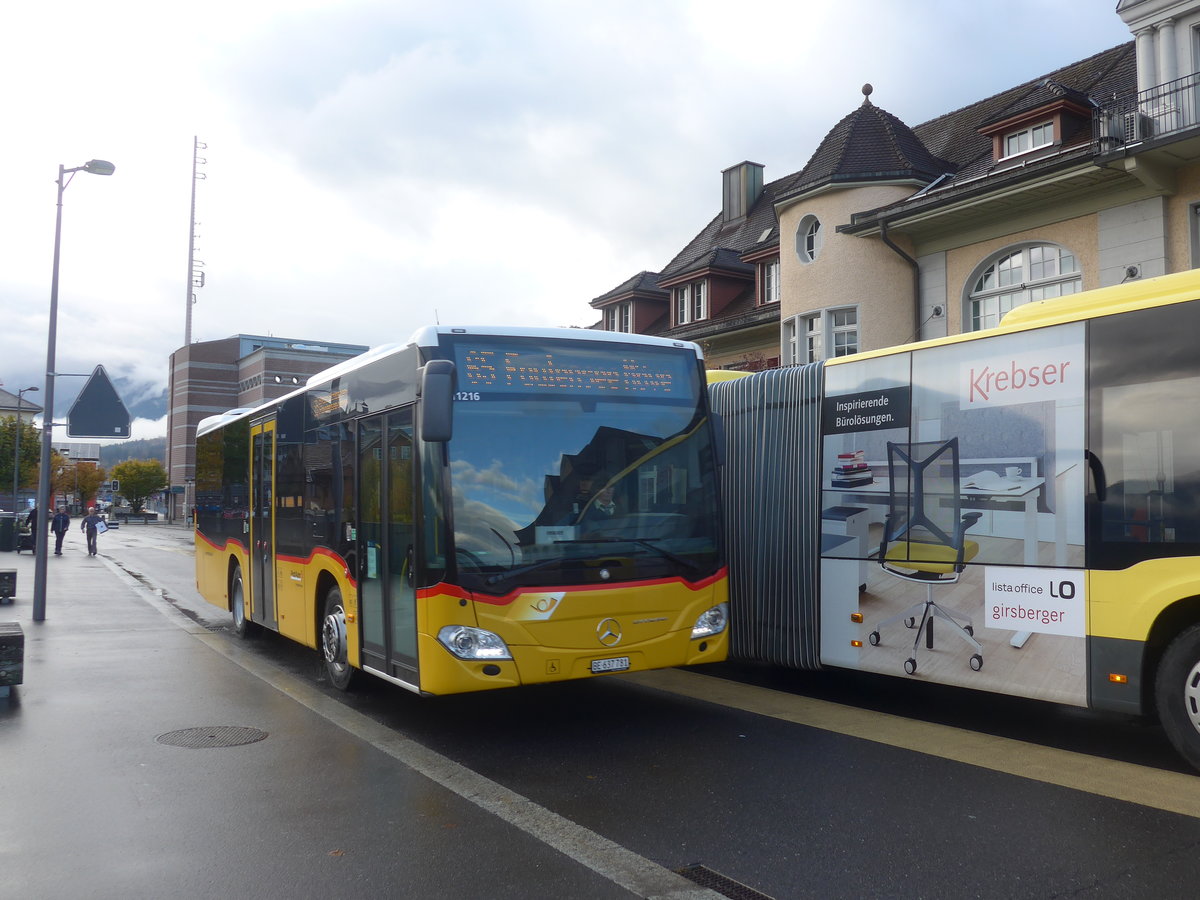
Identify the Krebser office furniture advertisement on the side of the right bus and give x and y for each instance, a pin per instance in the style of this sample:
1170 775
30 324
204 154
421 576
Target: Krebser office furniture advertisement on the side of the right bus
959 470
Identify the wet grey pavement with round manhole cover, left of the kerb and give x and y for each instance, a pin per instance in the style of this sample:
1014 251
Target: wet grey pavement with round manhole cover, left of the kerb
95 805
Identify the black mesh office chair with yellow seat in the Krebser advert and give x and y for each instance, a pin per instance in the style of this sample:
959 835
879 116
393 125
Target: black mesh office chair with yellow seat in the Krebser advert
925 538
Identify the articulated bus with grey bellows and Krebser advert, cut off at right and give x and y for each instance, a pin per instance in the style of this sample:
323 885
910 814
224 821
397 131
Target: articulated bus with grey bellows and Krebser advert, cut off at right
1013 511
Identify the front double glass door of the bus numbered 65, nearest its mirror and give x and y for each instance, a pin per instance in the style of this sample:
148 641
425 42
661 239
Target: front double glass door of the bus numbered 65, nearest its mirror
387 533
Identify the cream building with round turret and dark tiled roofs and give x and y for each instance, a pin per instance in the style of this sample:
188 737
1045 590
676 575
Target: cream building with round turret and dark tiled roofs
1087 177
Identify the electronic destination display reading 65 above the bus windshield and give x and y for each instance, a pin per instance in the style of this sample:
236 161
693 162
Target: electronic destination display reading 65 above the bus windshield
572 370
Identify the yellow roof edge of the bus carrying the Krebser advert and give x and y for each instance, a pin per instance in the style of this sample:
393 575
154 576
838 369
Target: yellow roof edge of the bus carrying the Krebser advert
1141 295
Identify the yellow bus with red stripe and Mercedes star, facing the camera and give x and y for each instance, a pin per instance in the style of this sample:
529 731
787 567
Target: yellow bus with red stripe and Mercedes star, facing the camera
475 509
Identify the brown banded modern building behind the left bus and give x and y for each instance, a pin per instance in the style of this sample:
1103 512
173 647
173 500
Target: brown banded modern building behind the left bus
212 377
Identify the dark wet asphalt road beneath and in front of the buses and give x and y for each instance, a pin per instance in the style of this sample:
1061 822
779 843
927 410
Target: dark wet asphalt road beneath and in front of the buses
790 811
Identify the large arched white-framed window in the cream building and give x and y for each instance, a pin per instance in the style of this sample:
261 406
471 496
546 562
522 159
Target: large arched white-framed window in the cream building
1037 272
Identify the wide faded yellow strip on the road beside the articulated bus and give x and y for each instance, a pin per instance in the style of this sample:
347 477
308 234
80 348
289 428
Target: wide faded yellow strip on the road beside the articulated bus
1171 791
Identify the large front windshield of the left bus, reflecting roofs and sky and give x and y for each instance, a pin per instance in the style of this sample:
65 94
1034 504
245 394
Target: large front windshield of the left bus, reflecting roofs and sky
565 490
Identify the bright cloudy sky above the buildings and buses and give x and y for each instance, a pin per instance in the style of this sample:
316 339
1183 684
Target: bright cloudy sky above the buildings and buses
373 167
